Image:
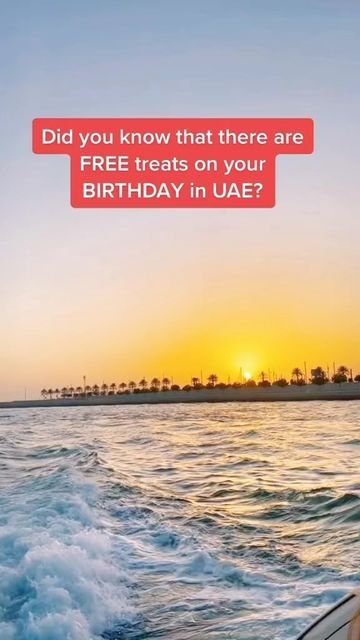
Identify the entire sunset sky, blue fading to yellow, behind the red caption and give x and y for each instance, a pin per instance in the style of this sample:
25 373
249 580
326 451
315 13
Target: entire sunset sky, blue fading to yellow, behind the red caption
117 295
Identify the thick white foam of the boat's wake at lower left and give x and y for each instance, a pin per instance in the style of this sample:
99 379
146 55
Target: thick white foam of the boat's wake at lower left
57 575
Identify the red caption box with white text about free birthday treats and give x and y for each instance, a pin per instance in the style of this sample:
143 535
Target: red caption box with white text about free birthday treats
173 162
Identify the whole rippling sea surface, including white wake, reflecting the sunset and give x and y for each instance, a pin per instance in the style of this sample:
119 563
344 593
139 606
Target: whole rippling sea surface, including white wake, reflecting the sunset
201 522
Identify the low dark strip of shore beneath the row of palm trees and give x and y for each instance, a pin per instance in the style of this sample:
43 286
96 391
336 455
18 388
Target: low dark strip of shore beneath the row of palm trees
330 391
